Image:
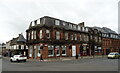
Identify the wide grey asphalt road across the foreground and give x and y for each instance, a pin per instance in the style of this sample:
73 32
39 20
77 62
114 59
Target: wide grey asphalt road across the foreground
98 64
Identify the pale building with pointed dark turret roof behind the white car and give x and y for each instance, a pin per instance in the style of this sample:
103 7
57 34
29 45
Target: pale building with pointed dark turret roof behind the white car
17 46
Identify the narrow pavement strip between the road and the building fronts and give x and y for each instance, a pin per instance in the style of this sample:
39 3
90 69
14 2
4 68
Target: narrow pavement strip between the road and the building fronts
62 58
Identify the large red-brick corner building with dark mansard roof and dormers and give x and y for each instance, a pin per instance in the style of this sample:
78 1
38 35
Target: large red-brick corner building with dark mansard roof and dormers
51 37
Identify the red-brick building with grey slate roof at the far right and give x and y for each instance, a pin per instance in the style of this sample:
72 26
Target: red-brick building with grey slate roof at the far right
110 40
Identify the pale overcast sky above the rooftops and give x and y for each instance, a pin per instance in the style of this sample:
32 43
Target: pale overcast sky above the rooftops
16 15
